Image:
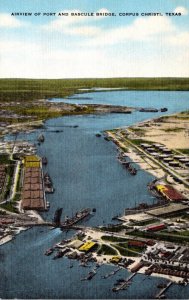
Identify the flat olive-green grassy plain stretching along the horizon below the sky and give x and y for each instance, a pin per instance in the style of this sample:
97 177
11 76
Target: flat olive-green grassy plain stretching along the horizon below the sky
33 89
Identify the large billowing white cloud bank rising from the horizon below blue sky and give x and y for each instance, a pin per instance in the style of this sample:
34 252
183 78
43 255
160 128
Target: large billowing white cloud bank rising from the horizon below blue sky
151 46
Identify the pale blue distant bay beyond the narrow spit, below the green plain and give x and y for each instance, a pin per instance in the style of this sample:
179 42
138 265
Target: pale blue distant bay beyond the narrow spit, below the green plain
174 100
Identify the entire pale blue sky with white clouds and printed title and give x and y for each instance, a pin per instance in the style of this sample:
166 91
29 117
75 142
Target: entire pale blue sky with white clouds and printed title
130 43
